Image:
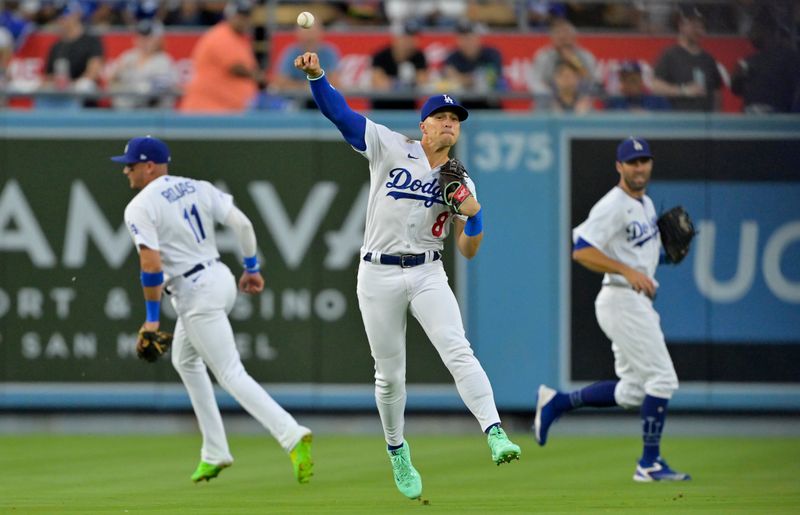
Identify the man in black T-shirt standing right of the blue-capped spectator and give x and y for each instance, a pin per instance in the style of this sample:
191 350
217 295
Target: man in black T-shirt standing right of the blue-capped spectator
686 73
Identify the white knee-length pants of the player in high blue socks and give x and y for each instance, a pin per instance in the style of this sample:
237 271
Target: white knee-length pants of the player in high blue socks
641 358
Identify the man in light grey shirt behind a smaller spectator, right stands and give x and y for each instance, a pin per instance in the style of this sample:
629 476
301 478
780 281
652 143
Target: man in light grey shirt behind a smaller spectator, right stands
563 47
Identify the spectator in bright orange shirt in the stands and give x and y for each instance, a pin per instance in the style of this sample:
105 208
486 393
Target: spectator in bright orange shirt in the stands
226 76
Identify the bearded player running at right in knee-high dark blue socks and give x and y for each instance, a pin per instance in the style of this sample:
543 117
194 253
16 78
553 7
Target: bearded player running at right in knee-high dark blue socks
621 240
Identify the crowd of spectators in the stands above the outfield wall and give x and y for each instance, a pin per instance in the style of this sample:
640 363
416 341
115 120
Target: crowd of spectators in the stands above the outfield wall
228 76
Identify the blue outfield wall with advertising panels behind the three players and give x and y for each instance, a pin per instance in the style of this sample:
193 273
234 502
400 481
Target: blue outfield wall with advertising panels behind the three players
70 301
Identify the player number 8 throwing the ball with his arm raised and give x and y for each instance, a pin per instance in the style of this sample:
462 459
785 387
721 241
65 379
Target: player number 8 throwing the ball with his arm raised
401 268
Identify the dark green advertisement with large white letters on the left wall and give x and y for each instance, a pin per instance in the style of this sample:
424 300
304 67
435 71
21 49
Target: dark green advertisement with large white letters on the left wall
70 302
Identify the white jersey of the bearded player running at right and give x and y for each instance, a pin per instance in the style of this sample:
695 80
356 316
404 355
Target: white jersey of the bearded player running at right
624 229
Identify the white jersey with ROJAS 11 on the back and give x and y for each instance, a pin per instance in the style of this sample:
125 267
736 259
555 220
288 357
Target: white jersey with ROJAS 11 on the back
184 211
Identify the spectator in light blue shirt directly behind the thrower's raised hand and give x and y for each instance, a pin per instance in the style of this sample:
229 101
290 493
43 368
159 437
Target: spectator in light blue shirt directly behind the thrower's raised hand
290 79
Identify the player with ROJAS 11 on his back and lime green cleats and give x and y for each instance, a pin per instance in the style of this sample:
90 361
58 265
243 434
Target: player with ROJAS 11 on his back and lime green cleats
171 221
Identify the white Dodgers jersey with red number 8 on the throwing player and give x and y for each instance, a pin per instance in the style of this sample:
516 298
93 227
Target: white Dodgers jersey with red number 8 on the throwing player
402 182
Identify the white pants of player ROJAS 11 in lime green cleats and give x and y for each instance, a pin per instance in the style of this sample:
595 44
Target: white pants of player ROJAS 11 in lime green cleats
204 337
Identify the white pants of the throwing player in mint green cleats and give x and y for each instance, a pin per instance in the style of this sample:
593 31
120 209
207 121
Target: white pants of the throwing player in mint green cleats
385 294
